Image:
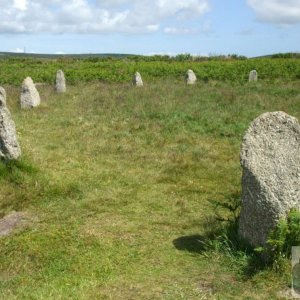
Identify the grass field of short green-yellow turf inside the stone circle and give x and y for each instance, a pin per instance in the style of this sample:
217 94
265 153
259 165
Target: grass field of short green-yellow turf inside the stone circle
118 183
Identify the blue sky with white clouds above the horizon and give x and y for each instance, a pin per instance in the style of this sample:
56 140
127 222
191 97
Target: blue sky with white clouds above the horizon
199 27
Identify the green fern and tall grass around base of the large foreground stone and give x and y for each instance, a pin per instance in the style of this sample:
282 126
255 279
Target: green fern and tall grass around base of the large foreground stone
224 237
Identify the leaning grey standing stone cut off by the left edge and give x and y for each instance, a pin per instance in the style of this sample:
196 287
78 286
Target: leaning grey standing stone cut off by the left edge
9 146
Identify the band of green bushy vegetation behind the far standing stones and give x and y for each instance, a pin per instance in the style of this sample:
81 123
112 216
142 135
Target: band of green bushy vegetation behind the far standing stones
111 69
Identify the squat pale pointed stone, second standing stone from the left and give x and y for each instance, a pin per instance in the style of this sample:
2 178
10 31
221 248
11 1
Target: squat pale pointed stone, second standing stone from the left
29 95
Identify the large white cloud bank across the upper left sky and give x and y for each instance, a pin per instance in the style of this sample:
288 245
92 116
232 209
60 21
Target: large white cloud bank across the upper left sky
84 16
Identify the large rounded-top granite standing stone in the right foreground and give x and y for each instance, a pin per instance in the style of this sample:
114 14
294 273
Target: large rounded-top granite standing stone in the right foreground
270 158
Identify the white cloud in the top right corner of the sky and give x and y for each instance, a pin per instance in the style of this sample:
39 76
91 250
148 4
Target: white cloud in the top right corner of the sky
280 12
